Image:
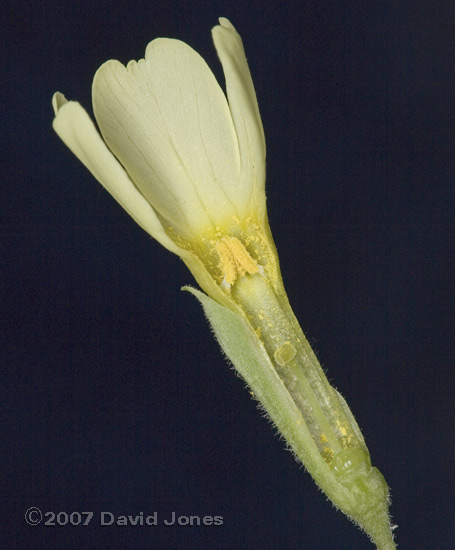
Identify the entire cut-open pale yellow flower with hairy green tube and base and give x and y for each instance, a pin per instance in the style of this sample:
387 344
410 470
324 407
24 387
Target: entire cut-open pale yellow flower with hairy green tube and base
189 166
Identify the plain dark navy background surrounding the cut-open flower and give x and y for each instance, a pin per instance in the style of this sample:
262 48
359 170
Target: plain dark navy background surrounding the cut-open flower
115 395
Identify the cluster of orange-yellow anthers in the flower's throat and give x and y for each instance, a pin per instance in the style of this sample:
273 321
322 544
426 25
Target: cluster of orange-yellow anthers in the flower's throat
235 260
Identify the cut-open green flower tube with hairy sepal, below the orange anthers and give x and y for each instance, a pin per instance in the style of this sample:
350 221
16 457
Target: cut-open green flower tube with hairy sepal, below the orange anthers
286 377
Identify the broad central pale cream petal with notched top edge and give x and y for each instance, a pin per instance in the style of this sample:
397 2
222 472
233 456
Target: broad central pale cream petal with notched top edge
167 121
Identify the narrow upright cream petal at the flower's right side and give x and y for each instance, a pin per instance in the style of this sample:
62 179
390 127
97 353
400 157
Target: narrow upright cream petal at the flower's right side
244 107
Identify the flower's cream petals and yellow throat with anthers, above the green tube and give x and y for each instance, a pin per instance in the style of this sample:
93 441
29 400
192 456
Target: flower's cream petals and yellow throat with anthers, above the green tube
187 165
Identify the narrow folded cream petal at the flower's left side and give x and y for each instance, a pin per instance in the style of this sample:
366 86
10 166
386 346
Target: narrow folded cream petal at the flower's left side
74 127
